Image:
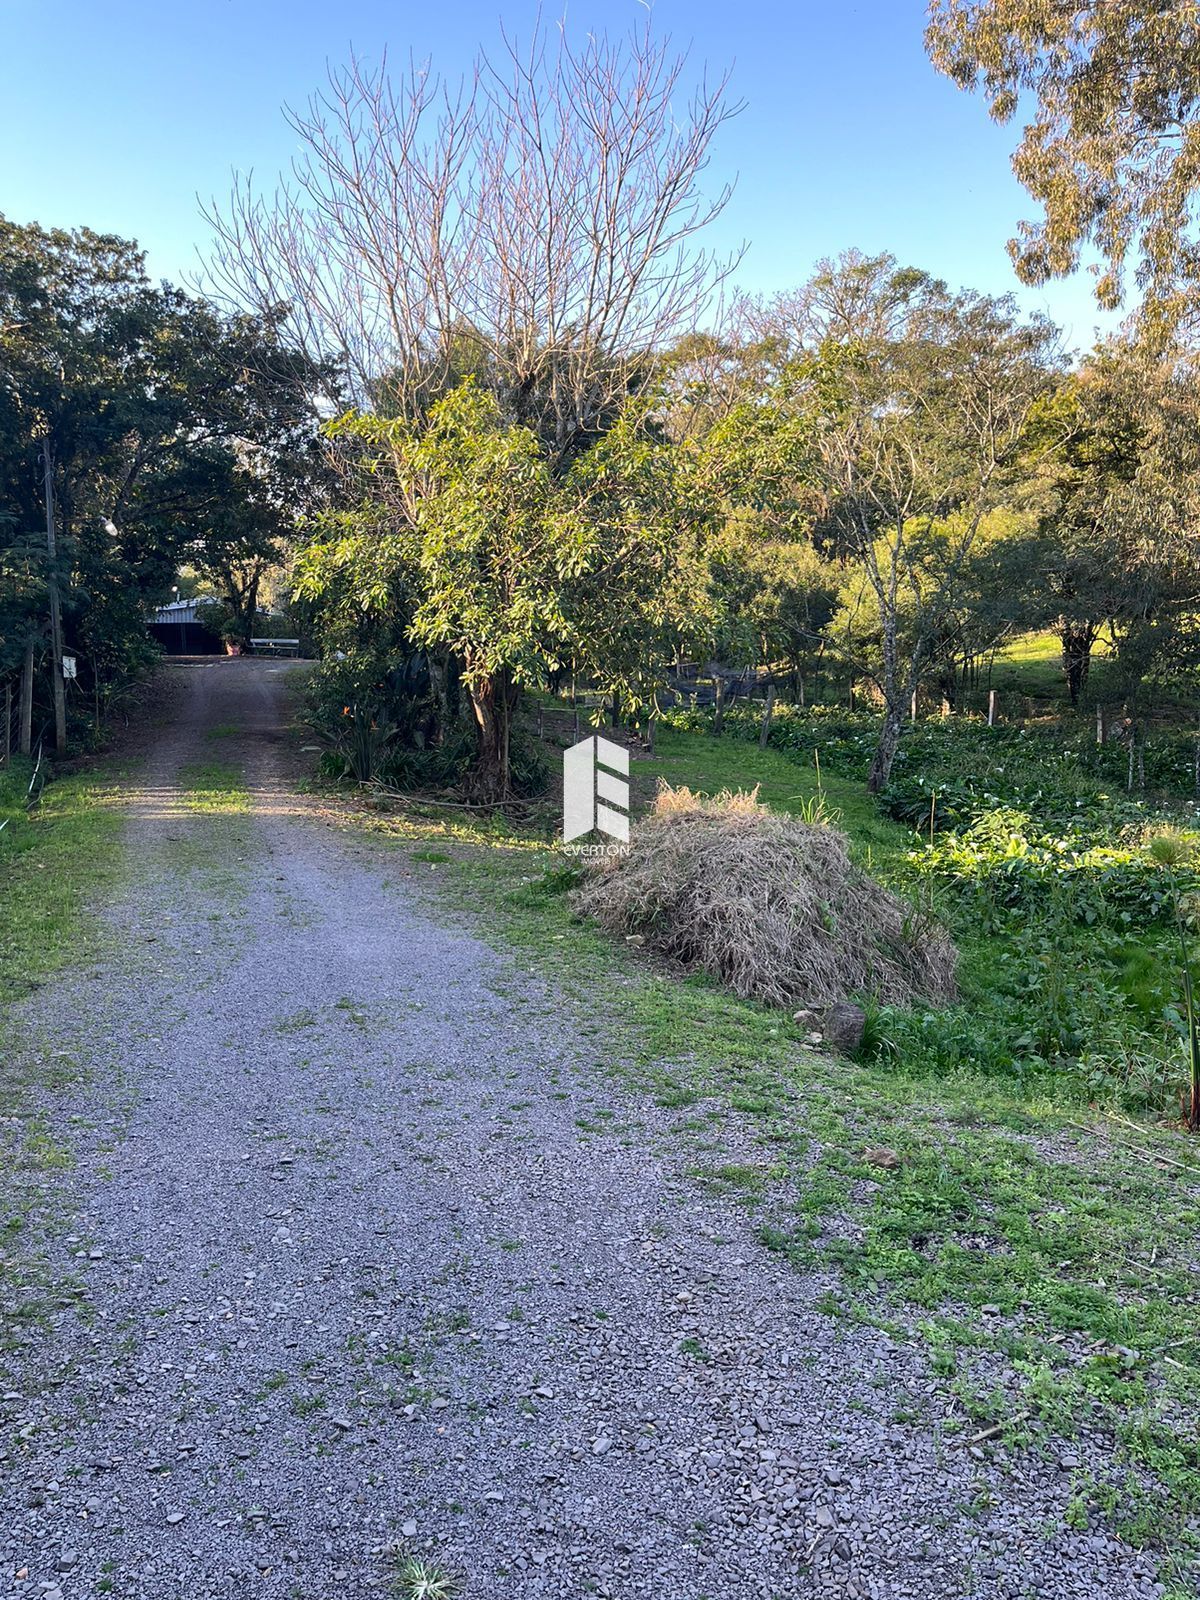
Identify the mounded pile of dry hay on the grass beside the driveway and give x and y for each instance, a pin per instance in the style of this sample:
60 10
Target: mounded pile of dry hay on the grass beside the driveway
770 906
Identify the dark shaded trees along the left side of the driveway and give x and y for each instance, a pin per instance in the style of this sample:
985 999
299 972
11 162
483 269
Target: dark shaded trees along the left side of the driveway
142 430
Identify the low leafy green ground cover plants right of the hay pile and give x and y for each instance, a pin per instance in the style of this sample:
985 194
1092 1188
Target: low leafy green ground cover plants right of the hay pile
1046 873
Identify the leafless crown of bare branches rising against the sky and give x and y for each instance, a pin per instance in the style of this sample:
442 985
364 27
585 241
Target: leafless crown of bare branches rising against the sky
534 228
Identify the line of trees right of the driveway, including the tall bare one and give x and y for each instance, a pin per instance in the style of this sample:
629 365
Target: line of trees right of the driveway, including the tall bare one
545 479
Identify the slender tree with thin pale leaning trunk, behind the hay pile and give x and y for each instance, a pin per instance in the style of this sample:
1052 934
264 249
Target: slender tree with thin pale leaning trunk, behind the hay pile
919 402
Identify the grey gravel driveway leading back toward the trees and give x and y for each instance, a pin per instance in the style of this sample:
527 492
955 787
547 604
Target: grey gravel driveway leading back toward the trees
356 1279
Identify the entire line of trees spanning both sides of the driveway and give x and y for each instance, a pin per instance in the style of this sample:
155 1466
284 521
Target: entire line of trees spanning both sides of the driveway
532 473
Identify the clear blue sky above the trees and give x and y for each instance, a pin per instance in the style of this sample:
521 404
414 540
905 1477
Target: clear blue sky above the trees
119 113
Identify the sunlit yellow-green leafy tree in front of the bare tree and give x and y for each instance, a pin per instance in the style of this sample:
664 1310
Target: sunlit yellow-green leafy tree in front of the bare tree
510 564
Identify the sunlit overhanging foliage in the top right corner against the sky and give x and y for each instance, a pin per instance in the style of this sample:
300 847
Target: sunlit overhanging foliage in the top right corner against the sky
1113 148
